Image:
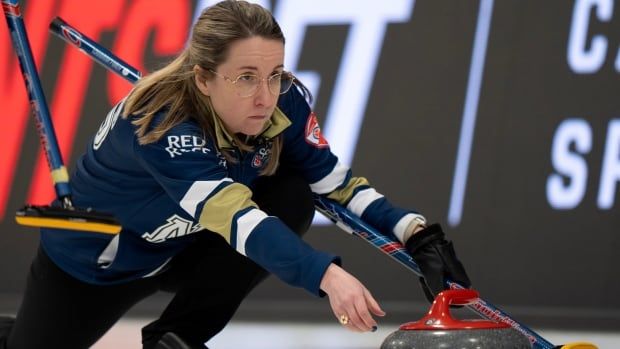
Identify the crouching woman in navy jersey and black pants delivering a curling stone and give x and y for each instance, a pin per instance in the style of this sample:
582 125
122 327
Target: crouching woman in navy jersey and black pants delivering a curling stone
210 164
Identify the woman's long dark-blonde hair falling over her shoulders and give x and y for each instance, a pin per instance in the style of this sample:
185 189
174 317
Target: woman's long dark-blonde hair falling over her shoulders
173 86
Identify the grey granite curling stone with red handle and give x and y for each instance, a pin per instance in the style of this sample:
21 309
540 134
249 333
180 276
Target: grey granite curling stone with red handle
439 330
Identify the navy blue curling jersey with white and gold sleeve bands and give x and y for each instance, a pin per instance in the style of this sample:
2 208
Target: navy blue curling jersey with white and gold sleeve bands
164 193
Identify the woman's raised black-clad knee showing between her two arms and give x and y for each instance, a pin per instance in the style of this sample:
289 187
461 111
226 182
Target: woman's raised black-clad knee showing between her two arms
287 197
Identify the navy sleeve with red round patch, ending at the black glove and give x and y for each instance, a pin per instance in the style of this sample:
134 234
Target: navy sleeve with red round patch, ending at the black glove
308 152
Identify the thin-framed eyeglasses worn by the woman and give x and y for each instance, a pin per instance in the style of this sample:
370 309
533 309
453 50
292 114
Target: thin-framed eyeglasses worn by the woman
247 84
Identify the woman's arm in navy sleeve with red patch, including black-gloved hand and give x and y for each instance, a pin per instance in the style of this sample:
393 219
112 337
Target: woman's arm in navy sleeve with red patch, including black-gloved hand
307 151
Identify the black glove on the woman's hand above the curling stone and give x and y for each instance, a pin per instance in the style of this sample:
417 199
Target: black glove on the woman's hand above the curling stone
437 260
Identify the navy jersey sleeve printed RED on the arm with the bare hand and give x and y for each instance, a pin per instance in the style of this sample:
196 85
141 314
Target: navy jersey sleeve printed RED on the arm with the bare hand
194 175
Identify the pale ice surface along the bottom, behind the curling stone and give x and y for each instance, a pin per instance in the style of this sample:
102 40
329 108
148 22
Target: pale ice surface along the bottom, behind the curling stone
250 335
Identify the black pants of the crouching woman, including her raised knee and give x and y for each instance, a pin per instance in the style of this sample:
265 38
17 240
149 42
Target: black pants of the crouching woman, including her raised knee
209 280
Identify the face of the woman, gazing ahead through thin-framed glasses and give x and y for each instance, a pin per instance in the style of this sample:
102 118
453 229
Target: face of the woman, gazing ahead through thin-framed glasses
247 115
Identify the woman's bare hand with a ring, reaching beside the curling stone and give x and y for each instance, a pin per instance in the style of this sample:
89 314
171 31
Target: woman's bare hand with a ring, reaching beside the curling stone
351 302
